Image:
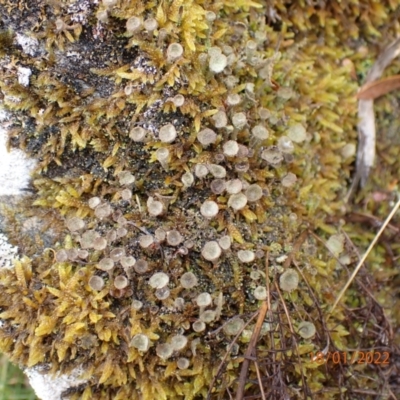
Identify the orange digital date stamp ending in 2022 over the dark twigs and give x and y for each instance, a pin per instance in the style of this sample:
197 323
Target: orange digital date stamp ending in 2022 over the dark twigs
350 358
